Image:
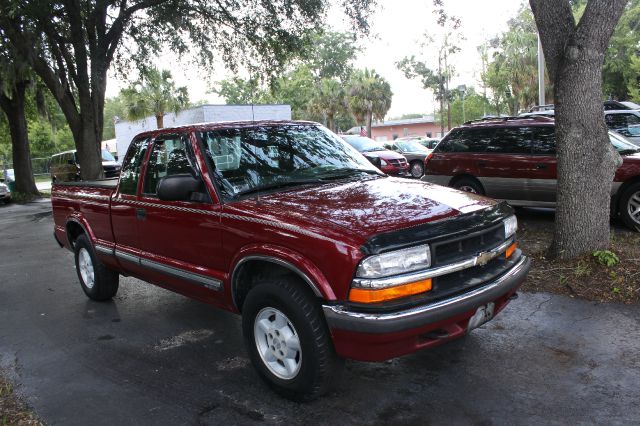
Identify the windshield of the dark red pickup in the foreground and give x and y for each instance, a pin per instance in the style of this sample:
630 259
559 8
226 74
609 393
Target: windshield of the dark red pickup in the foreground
247 160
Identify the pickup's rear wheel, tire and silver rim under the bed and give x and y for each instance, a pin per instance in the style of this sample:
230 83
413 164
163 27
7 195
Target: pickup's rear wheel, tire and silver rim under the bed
97 281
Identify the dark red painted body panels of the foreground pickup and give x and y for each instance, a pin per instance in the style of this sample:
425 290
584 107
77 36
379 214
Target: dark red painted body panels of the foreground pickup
319 230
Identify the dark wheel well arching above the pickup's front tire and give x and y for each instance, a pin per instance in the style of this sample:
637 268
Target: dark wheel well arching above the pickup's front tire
250 273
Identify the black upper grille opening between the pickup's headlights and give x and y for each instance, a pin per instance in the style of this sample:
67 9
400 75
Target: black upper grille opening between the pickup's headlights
450 251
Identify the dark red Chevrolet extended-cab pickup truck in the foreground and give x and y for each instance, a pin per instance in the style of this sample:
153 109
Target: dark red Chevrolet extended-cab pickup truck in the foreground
324 256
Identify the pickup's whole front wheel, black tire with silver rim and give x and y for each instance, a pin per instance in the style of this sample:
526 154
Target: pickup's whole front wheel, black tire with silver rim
287 339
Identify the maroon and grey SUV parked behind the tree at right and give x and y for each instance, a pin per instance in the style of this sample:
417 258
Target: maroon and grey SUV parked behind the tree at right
515 160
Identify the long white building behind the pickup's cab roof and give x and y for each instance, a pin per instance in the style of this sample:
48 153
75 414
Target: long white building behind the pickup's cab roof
126 130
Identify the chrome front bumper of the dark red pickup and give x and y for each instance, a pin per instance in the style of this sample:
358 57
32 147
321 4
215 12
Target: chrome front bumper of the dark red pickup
339 317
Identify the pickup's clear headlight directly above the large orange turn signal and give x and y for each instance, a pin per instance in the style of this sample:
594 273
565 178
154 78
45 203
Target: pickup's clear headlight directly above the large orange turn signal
395 262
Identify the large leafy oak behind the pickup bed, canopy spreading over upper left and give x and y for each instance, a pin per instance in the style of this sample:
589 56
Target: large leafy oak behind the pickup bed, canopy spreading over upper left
71 44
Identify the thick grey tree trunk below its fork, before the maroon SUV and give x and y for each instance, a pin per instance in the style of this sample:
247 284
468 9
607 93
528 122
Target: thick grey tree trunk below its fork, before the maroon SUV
586 160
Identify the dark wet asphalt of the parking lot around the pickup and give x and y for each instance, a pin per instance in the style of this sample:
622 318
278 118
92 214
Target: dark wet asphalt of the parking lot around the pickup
155 357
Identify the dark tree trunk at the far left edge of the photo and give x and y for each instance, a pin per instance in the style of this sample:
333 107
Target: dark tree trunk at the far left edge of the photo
14 109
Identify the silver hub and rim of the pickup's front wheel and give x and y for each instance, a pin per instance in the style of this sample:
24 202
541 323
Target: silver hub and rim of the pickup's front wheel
278 343
